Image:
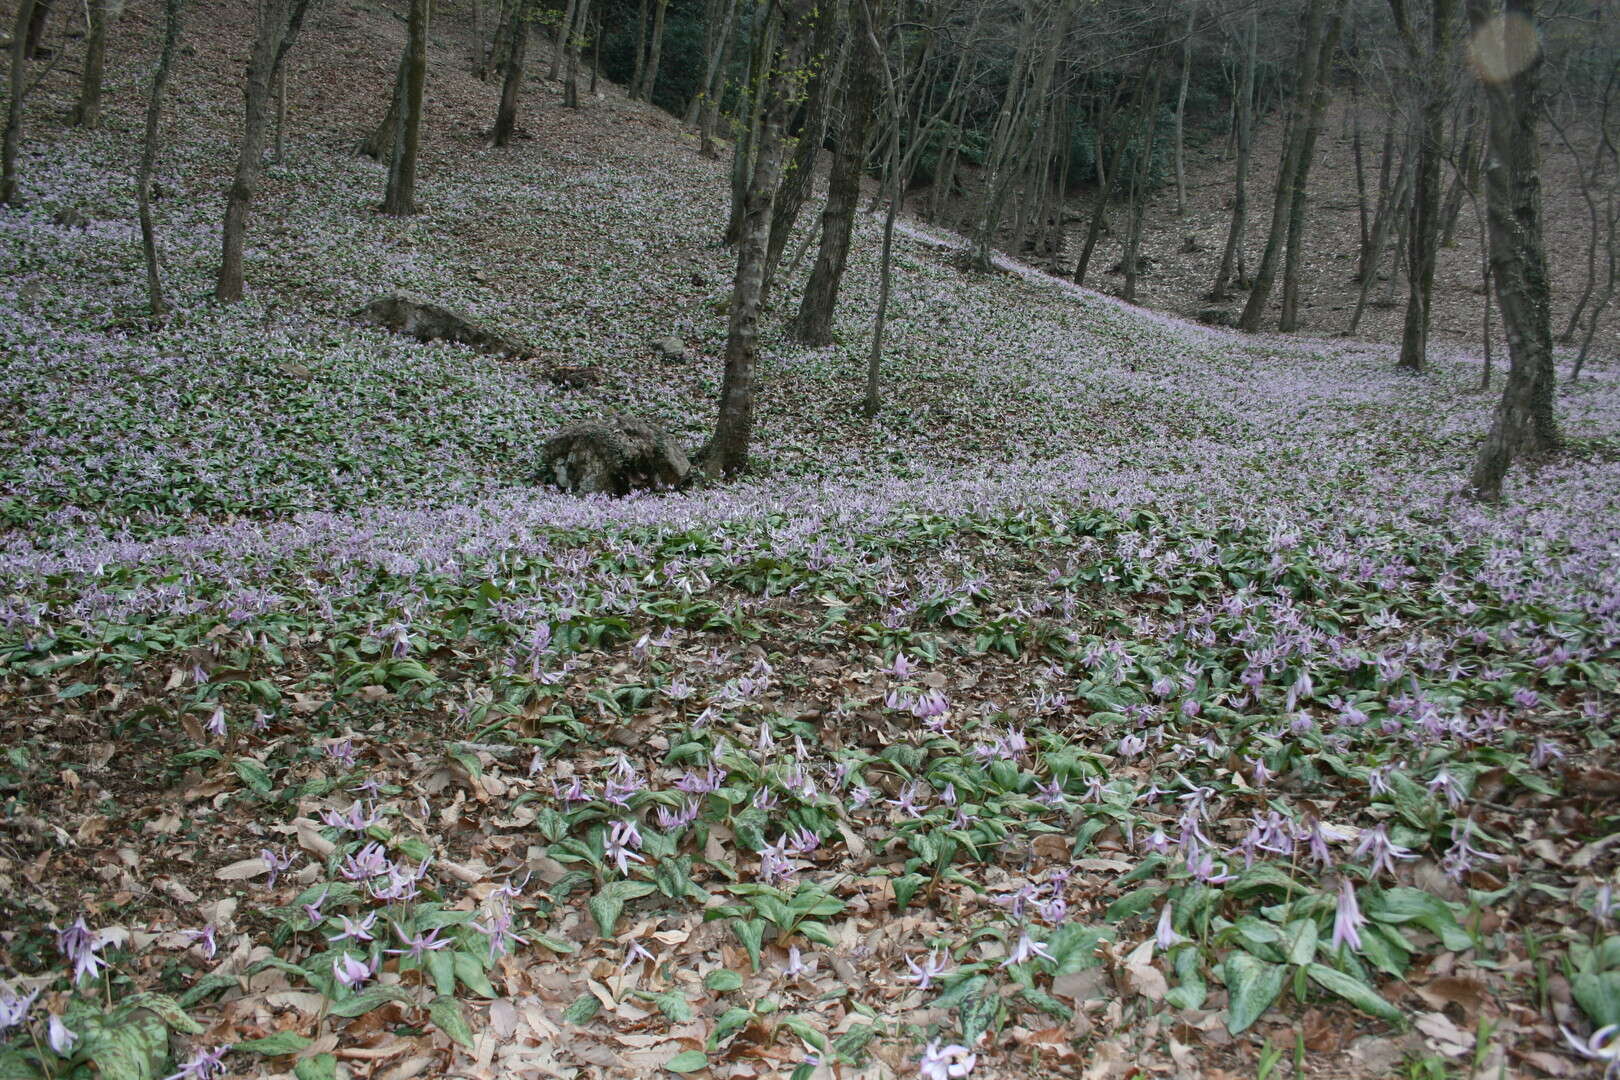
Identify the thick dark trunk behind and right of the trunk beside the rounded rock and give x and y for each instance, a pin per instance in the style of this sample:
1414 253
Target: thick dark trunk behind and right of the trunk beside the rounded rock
814 325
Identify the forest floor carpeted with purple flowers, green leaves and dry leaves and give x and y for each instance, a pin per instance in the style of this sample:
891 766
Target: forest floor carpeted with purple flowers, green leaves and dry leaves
1127 699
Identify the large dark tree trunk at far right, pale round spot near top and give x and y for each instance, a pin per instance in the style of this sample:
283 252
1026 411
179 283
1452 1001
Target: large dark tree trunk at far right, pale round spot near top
1509 59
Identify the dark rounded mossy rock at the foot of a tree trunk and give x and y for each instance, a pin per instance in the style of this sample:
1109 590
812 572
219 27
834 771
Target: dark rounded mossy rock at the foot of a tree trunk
615 457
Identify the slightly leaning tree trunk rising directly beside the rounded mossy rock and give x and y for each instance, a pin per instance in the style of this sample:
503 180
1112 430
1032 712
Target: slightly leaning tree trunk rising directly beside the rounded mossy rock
728 453
